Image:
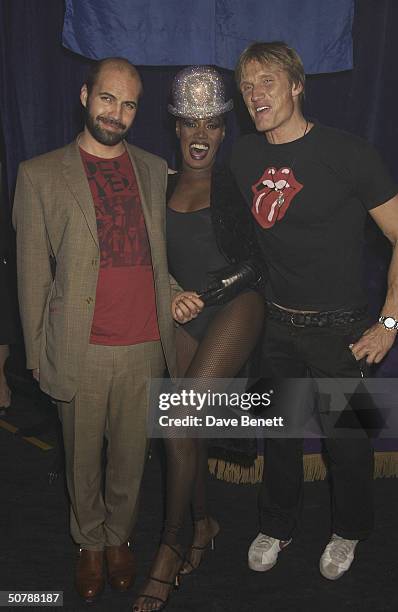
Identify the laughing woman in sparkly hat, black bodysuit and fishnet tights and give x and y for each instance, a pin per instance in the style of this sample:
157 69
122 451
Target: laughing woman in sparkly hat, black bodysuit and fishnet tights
209 228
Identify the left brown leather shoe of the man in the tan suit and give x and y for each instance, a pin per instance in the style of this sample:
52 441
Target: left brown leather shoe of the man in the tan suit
89 578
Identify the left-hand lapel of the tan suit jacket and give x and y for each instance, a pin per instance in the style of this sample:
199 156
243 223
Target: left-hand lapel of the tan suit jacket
76 179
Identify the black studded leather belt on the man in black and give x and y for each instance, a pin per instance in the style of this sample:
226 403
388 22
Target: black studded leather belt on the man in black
331 318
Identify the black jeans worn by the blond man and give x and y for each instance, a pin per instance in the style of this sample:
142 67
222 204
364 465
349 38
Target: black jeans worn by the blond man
297 352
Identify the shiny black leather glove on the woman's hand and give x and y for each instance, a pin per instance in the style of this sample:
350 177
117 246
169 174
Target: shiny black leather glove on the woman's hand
230 282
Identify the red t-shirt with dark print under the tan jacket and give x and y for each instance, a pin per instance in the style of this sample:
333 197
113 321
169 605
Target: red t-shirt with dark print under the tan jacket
125 308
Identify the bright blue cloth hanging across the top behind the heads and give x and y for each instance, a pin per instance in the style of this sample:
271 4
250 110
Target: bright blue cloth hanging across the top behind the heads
155 32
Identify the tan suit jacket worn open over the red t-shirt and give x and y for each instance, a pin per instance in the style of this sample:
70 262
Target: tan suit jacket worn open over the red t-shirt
54 216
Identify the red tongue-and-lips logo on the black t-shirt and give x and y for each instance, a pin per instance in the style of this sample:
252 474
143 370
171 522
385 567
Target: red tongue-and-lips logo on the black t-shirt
273 194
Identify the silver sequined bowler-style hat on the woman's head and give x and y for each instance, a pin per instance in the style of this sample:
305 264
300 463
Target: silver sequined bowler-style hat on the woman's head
198 92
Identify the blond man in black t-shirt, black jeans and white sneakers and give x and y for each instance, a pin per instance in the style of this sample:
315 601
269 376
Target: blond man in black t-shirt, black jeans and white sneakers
309 188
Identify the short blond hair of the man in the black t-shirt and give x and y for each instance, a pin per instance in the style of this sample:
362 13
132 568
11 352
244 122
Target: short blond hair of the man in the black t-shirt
276 52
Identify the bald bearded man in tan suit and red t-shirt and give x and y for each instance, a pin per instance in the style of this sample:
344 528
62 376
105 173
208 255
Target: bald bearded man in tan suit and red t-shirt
95 306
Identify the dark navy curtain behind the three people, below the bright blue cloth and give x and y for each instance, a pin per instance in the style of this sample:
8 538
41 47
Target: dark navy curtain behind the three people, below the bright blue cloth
40 110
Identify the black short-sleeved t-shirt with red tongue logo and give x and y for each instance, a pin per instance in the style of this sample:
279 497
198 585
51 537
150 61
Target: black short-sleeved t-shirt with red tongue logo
310 198
